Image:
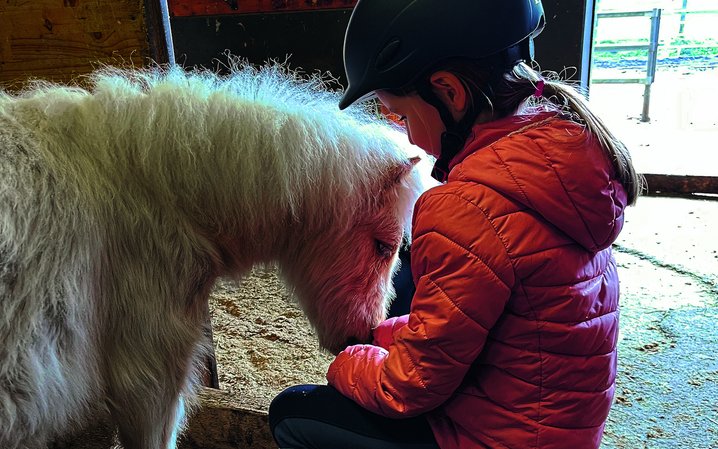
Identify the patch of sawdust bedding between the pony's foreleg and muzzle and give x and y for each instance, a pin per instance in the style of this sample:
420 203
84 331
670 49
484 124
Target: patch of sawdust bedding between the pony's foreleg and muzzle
263 342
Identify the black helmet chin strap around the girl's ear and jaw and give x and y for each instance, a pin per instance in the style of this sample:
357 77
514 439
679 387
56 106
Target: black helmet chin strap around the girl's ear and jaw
455 134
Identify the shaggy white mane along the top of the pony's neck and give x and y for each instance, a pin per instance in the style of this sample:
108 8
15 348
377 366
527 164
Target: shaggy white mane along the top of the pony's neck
193 135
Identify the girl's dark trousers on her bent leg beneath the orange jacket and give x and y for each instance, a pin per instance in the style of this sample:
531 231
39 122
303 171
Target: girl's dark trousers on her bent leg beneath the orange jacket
319 417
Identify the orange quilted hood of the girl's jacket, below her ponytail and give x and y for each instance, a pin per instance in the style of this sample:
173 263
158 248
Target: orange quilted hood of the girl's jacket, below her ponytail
552 166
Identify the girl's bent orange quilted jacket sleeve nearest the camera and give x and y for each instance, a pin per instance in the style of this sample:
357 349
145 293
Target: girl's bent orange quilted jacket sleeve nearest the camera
463 280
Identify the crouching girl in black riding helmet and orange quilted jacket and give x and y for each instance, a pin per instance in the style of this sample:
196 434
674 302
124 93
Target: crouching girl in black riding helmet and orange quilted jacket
511 337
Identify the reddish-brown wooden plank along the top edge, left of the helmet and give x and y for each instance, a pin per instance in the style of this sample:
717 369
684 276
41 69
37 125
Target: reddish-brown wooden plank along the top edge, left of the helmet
187 8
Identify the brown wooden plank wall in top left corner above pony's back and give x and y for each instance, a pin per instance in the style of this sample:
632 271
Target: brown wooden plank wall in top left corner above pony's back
60 40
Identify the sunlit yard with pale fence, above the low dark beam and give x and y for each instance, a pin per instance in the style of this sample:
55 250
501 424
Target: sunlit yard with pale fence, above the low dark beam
654 79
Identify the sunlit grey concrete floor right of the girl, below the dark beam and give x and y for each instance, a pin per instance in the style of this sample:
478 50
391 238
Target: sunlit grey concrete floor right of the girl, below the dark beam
667 387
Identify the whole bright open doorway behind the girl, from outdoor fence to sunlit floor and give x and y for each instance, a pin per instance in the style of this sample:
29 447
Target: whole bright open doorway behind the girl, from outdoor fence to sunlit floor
654 80
